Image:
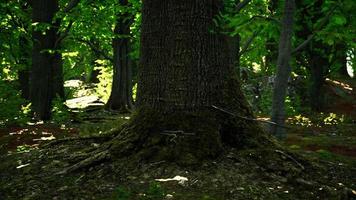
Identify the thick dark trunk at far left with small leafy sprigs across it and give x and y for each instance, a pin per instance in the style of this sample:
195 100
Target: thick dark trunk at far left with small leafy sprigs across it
46 78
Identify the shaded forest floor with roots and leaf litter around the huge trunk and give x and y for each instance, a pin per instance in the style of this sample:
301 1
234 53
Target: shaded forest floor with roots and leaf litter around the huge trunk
318 161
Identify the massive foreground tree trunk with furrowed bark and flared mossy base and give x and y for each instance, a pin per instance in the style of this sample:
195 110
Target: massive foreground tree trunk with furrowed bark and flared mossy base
189 99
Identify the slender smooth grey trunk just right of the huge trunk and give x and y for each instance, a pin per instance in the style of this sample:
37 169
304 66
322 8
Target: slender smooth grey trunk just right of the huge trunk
283 70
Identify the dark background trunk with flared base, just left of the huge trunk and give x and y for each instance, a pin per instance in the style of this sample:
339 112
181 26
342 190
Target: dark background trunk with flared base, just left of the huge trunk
121 92
